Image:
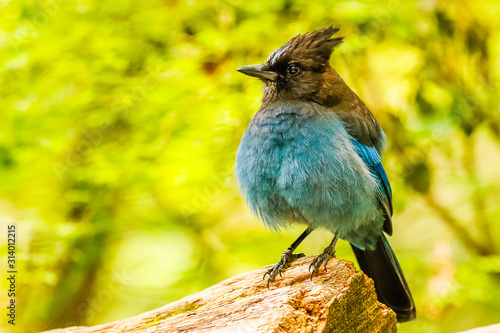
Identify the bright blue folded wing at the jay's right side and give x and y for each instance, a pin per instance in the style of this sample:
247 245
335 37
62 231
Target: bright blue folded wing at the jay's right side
372 159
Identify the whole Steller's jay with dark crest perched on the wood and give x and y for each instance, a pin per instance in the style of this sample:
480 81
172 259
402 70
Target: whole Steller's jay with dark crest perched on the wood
311 154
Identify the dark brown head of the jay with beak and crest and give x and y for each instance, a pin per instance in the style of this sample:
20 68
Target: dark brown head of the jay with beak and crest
296 69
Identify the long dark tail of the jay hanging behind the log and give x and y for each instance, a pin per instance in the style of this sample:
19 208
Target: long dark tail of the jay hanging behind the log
383 267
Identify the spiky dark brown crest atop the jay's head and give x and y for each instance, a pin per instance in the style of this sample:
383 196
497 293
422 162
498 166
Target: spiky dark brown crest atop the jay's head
314 48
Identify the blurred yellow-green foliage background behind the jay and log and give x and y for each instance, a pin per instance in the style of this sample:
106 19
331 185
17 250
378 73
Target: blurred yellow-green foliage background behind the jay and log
119 123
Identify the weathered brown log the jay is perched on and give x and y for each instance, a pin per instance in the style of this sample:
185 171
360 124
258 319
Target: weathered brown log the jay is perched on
342 299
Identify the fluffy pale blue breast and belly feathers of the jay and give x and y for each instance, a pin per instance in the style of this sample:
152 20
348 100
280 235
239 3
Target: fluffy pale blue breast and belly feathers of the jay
296 163
